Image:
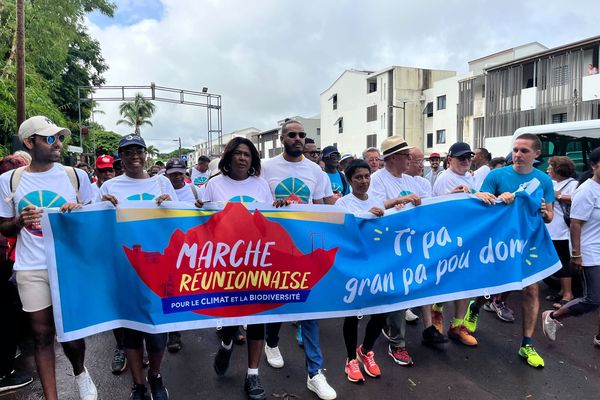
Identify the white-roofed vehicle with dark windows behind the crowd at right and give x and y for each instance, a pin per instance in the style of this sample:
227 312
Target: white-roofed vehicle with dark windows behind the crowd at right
572 139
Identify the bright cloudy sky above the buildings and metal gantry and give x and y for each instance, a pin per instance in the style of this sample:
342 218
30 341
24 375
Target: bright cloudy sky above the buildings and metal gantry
271 59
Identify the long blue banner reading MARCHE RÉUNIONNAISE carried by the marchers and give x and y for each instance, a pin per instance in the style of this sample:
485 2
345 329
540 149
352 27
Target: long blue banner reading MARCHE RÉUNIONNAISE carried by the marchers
175 267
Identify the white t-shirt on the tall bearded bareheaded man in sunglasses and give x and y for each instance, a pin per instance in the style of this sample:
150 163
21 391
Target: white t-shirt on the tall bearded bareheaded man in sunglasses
300 182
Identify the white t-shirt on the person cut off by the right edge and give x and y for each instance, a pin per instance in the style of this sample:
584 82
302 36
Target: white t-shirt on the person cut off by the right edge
586 207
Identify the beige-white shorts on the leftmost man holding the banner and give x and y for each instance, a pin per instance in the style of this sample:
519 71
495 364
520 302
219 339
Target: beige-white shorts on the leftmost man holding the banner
34 289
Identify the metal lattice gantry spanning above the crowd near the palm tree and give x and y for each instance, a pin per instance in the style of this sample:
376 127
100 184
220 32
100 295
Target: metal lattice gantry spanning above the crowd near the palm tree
211 101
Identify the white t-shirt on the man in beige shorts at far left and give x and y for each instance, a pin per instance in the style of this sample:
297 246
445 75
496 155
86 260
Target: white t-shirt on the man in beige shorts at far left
49 189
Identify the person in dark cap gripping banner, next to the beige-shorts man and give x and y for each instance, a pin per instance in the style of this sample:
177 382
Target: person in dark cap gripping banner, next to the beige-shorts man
136 184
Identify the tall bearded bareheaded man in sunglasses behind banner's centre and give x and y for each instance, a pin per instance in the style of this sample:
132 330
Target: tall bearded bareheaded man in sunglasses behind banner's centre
294 178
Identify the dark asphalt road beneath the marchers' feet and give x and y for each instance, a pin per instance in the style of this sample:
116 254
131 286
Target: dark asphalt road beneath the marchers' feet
491 371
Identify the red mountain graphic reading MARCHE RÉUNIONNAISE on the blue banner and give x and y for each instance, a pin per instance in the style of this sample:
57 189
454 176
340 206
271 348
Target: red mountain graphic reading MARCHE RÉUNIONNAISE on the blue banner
237 263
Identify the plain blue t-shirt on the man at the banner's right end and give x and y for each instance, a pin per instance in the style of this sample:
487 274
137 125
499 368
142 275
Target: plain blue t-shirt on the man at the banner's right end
506 179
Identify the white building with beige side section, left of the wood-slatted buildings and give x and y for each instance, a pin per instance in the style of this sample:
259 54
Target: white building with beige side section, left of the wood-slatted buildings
361 108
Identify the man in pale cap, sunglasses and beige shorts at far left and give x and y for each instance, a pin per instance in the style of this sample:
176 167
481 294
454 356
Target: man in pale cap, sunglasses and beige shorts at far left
44 183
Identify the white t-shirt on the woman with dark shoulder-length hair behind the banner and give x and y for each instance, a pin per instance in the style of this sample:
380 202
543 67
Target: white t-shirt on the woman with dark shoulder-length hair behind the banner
251 189
